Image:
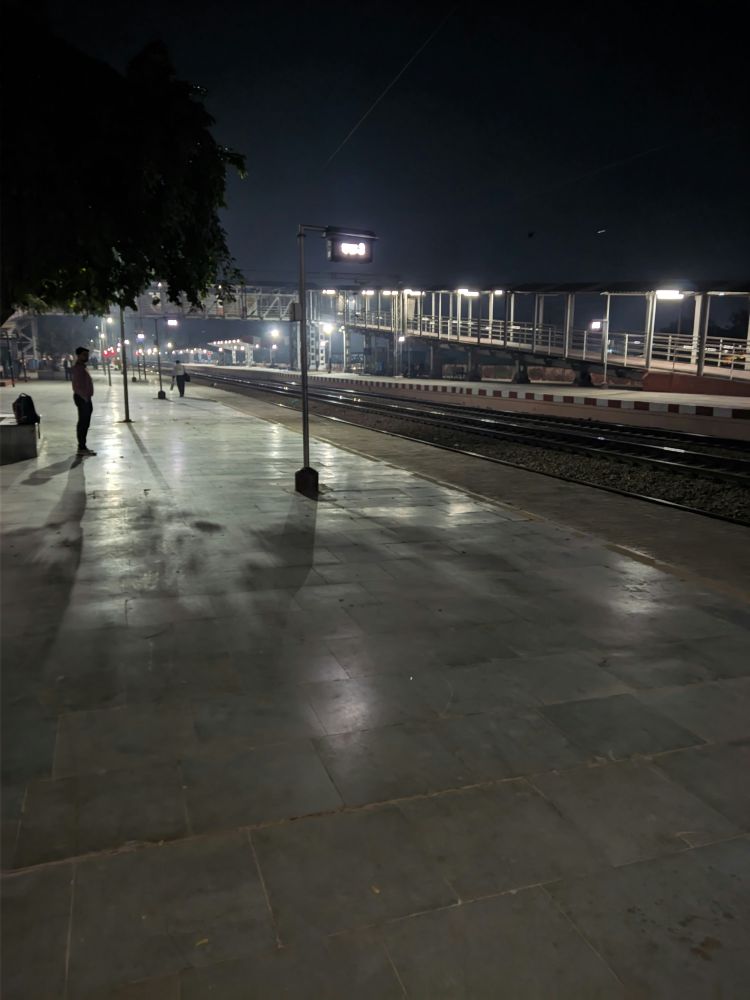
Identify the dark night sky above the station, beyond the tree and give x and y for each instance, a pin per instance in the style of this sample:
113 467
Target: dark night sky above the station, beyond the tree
502 152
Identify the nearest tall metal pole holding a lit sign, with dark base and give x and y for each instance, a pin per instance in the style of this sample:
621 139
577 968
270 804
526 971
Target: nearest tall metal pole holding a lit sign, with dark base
342 245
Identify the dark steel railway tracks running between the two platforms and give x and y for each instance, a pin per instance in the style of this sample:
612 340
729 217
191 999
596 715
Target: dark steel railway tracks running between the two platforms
659 451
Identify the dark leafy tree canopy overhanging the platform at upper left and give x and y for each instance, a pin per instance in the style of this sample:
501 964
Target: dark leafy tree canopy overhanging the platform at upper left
110 181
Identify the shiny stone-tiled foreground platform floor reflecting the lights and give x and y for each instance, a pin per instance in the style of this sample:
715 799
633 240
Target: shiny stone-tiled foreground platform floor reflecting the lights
443 732
